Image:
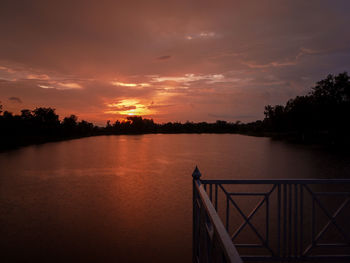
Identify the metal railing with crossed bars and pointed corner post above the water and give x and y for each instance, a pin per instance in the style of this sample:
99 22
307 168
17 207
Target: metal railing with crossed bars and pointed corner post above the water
288 220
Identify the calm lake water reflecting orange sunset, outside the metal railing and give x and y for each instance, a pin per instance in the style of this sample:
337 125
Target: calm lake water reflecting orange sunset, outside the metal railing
129 198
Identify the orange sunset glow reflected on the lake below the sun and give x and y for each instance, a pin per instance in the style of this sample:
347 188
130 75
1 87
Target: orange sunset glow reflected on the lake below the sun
142 195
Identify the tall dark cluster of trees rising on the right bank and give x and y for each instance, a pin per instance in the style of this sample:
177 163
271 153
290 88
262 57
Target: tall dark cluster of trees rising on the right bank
323 115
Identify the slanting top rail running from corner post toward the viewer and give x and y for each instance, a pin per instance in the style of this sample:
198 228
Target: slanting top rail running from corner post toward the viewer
224 237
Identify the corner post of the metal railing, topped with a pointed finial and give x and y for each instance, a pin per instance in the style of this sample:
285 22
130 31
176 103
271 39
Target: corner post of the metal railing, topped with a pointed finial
195 176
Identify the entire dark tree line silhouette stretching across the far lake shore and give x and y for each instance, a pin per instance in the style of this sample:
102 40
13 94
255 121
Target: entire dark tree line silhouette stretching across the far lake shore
321 116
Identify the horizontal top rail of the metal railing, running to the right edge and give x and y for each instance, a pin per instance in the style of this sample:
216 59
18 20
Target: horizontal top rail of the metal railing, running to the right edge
278 181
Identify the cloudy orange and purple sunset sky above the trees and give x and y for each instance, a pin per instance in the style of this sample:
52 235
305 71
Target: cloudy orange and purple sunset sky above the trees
167 60
